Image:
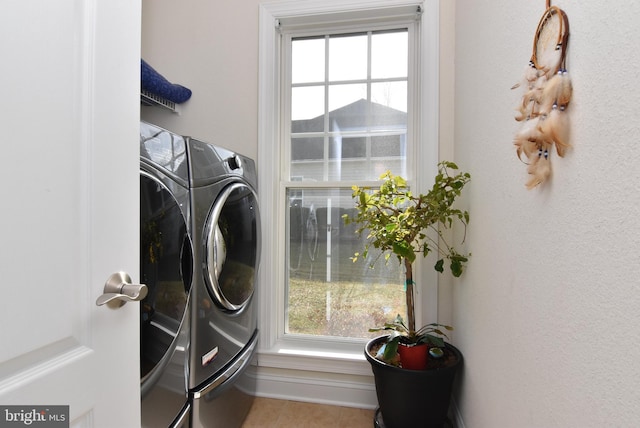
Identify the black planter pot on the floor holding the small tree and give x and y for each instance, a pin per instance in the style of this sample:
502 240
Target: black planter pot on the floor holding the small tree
413 398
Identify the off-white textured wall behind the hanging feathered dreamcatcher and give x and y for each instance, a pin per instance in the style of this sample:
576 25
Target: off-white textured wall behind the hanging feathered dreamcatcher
548 313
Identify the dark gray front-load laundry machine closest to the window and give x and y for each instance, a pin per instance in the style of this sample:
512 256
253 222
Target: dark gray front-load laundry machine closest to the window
226 242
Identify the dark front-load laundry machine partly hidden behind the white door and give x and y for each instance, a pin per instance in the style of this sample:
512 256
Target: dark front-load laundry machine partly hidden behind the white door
166 266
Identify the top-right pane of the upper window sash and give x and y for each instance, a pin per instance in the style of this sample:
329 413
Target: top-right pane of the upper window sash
389 55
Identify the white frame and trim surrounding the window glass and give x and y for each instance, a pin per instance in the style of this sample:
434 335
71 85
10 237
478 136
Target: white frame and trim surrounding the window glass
333 354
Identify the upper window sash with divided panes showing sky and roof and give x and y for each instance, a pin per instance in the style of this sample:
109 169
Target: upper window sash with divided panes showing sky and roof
348 112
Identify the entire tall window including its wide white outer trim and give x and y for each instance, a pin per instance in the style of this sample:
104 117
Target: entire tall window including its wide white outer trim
343 107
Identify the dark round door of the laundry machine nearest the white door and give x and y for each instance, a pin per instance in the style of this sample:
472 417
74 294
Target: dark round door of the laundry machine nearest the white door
166 267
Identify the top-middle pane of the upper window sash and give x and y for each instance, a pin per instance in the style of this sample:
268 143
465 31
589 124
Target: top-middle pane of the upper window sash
348 57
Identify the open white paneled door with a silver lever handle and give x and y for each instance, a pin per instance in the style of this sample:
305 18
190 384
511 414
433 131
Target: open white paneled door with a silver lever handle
69 118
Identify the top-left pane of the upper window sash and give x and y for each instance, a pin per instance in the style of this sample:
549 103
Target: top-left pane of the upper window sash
307 60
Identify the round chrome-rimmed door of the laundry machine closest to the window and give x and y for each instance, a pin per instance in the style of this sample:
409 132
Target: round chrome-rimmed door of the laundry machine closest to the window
232 247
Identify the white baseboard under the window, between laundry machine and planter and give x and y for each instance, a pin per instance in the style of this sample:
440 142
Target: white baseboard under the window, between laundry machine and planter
315 387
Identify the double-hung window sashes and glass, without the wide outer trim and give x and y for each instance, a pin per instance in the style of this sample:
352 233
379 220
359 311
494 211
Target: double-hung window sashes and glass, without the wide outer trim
347 122
